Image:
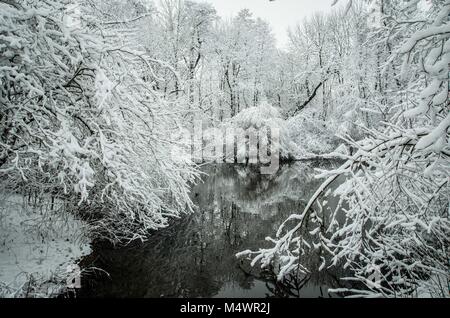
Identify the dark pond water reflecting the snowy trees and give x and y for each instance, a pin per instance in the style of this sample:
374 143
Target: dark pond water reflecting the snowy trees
237 208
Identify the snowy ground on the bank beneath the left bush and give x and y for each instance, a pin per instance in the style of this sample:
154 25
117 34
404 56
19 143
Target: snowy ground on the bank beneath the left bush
36 247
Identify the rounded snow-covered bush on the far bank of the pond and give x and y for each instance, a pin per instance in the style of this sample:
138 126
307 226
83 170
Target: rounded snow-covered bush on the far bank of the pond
300 137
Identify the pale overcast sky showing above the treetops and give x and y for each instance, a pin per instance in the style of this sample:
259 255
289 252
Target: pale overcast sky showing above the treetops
279 13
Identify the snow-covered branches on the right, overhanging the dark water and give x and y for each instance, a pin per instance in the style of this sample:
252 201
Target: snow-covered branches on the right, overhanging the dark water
392 226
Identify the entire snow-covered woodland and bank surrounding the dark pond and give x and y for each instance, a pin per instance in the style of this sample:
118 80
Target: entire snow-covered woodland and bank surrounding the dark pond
96 97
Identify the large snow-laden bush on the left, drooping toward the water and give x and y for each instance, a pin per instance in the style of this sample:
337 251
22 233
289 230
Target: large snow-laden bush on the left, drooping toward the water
81 120
